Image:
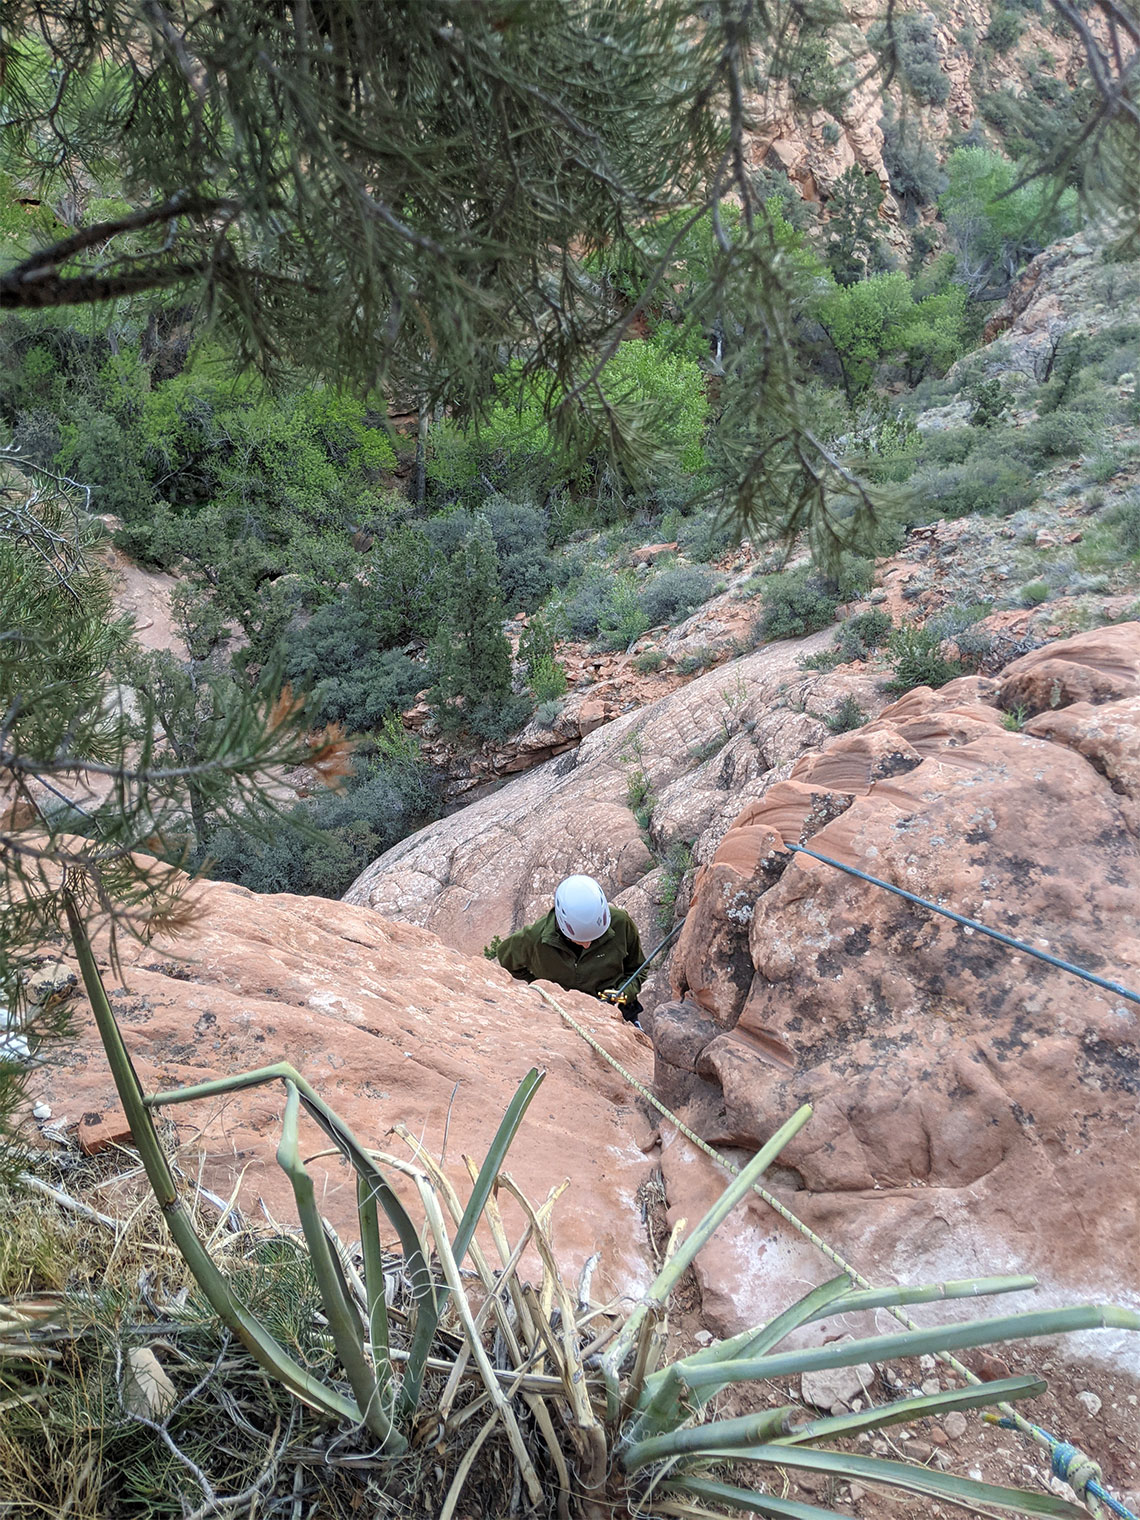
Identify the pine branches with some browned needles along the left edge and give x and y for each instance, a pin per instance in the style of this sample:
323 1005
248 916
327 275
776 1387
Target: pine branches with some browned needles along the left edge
92 788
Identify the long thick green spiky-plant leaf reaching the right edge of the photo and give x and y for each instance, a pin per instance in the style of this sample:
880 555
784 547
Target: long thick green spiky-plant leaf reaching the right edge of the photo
913 1343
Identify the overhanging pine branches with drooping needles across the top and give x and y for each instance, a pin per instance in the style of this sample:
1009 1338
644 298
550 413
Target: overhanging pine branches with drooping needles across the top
408 195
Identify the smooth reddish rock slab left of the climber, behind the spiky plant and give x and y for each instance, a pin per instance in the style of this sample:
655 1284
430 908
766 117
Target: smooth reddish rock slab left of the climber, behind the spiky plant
391 1028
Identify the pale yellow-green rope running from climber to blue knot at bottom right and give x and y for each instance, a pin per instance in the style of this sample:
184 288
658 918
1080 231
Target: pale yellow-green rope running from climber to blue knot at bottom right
1080 1471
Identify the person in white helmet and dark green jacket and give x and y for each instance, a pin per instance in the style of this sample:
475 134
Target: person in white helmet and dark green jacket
583 945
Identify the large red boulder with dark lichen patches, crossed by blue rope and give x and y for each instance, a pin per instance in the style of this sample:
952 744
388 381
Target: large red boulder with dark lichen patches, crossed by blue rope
975 1109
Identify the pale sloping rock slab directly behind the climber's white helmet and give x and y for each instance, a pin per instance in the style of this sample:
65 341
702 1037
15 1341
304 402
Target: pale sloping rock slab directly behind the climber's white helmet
686 764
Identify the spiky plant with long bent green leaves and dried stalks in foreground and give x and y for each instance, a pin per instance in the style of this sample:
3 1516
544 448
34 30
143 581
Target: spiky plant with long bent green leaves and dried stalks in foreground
591 1417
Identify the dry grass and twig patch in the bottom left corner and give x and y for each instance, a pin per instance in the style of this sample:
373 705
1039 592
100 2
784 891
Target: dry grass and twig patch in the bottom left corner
78 1297
